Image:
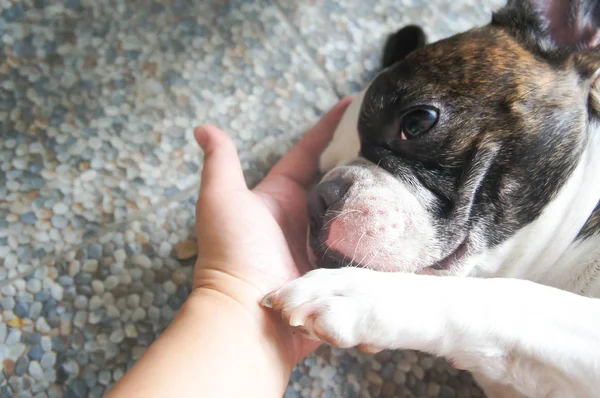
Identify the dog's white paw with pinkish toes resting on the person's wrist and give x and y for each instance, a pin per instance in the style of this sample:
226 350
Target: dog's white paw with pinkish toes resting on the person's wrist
333 306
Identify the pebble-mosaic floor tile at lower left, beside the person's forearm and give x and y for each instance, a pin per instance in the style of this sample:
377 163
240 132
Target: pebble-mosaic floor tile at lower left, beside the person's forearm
73 327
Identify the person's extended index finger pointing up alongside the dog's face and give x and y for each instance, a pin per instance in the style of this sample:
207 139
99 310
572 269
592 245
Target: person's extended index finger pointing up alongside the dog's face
300 163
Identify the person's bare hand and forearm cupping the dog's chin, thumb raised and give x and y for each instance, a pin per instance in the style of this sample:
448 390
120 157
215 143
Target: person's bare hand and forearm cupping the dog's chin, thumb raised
222 343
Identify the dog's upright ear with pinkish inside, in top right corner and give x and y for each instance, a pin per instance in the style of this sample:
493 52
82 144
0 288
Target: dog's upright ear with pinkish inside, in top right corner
569 25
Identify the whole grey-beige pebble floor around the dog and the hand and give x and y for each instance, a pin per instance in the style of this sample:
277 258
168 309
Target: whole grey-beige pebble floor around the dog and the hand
98 170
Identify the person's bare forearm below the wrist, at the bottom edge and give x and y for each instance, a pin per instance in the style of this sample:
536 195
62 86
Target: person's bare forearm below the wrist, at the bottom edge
213 348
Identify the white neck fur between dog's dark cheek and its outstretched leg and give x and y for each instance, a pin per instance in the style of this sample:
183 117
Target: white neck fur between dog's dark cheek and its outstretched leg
543 251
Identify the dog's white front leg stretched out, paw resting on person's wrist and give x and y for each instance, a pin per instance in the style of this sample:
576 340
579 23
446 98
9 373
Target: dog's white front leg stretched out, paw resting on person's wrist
540 340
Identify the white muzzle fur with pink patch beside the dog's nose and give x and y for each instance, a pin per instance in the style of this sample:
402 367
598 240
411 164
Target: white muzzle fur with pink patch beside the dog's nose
381 219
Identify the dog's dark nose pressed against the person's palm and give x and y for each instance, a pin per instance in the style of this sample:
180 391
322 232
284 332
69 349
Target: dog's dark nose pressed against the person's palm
324 196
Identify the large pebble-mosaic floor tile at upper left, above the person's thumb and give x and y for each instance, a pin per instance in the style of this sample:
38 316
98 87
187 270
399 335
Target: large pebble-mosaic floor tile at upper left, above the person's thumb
98 100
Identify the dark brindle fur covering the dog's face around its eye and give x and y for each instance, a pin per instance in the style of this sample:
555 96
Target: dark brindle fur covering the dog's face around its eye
496 89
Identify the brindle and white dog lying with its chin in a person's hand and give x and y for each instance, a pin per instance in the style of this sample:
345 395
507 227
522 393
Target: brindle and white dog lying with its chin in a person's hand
460 210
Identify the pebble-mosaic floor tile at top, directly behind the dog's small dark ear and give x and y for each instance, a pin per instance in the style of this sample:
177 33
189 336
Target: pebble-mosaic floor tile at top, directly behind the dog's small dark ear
346 36
